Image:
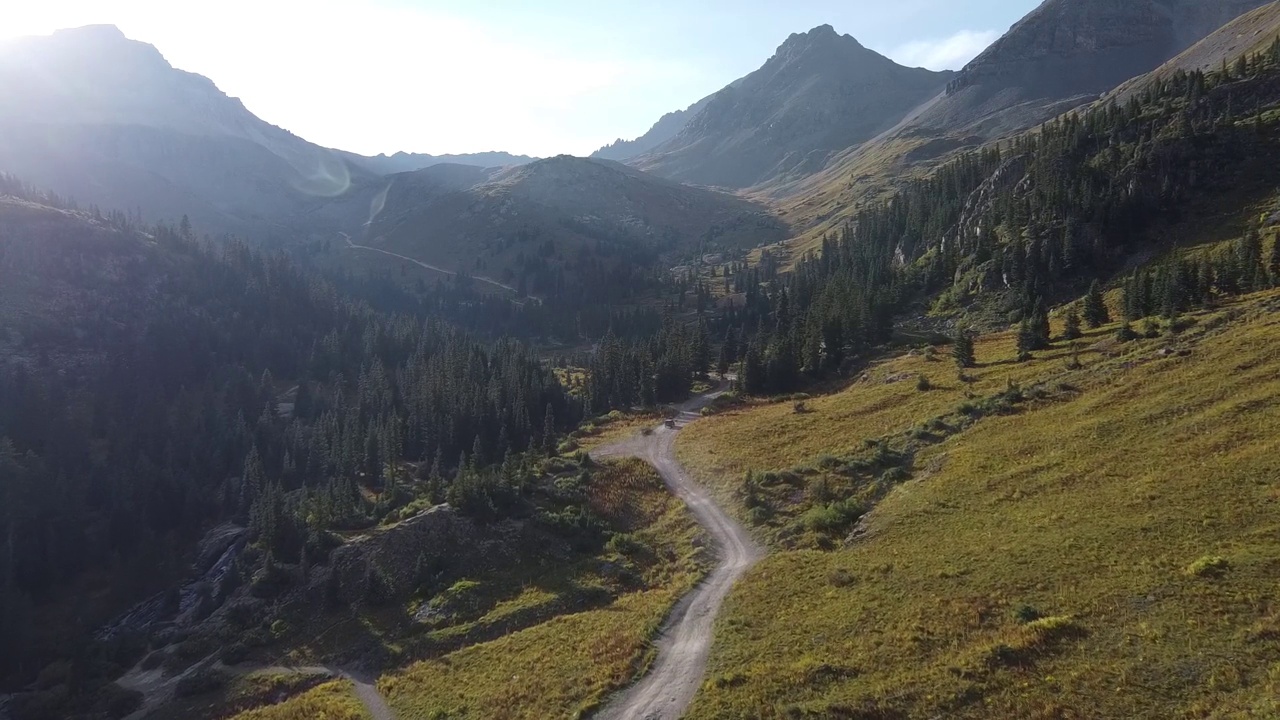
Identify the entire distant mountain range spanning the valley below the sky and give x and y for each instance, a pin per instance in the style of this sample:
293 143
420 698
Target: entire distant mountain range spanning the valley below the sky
821 126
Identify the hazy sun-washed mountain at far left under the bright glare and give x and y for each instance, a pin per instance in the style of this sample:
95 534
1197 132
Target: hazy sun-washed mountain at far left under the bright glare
108 121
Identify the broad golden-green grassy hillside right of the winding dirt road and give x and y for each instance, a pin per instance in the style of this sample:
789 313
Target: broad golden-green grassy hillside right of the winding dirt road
1140 517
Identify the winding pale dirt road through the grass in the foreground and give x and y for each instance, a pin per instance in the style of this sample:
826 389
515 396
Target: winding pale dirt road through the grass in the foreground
685 639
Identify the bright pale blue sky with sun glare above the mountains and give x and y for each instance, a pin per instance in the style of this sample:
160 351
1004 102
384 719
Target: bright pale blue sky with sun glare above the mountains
537 78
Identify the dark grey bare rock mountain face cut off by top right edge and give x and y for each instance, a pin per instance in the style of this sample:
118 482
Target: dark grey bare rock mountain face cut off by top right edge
1071 52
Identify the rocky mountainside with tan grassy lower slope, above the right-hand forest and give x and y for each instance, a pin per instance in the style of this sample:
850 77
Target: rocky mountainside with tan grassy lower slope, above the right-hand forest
1062 56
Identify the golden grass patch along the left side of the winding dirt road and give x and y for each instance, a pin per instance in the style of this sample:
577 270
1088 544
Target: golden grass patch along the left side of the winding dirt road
570 664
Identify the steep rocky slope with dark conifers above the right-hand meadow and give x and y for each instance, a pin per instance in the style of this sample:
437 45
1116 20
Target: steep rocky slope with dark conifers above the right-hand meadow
1005 230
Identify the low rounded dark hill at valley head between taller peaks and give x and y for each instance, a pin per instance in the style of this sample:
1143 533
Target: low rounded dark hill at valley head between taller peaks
536 225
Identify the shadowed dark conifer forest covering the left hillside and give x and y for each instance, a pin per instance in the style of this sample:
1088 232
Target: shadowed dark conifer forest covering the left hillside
153 386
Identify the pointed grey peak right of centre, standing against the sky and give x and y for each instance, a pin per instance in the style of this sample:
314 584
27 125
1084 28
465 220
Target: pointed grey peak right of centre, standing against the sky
820 94
